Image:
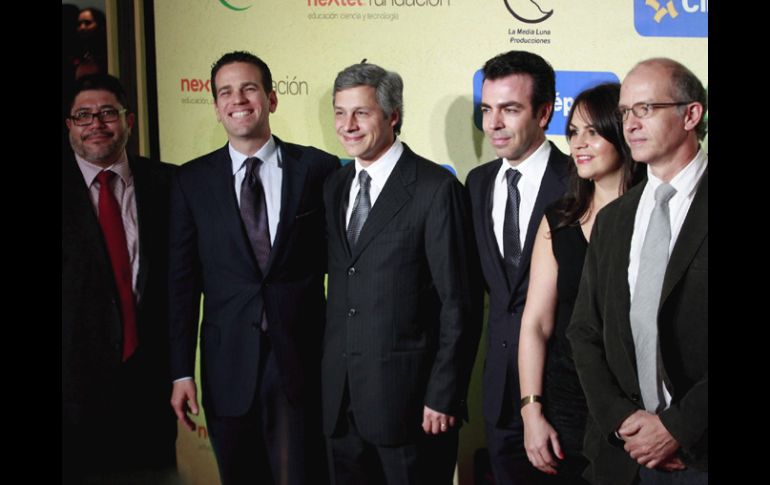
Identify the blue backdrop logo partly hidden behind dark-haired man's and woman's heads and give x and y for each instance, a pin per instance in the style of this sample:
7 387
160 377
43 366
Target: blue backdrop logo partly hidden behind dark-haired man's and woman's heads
568 85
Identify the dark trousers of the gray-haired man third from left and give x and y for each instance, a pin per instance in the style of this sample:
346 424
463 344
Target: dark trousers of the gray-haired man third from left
429 460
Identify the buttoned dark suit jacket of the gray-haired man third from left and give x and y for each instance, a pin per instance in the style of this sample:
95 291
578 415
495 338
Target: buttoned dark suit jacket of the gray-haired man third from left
403 318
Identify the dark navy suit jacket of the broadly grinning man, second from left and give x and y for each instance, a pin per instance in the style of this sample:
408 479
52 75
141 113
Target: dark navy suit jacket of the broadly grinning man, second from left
210 254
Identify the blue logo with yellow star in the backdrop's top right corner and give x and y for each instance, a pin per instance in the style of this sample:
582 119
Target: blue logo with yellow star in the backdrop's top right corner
671 18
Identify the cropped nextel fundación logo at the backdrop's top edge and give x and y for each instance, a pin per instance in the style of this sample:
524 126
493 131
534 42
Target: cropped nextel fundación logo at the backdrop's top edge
368 10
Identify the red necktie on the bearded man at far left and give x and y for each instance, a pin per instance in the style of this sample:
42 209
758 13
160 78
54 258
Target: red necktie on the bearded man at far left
115 237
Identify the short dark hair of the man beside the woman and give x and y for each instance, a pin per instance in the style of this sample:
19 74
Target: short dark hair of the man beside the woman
523 62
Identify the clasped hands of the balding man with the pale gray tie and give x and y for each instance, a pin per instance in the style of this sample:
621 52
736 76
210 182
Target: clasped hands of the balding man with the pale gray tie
648 441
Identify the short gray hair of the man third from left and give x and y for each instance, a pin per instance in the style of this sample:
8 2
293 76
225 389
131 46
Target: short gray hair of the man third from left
388 87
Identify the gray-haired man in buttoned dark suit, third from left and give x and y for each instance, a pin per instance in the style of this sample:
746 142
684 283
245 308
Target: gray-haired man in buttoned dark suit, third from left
403 318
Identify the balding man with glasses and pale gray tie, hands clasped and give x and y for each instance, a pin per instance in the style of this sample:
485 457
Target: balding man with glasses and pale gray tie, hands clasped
639 330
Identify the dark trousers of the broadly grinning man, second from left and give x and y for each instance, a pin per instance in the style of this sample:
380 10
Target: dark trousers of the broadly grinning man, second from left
275 442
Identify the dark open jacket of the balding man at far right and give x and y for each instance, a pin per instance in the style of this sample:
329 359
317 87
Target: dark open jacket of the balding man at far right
603 346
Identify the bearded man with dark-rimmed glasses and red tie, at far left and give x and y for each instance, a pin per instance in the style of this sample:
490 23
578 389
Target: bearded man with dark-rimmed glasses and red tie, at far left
115 416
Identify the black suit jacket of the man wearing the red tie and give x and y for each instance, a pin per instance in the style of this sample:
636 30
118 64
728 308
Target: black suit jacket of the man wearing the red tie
98 390
